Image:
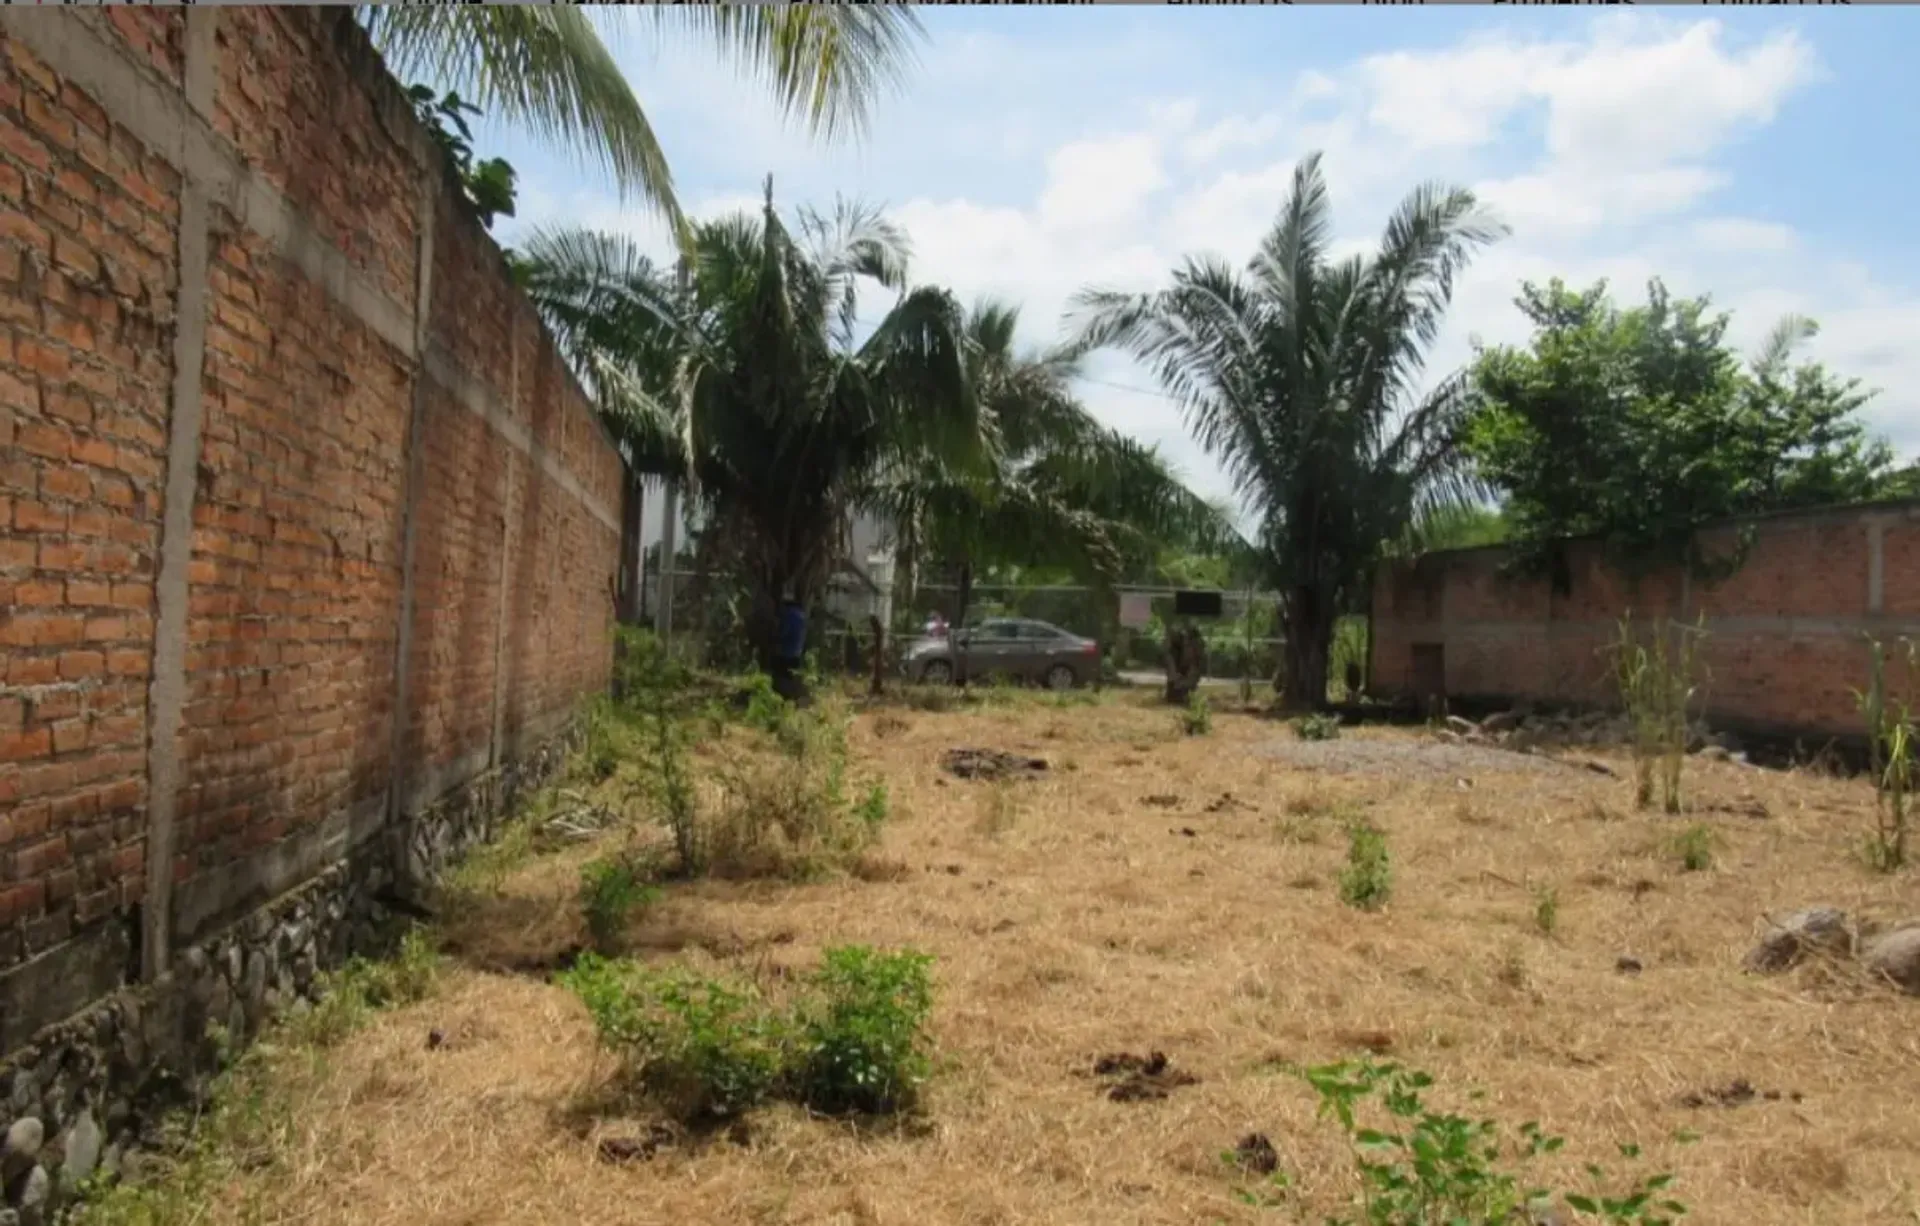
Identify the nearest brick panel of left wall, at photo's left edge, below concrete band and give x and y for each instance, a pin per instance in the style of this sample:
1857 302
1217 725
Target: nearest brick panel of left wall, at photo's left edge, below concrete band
87 285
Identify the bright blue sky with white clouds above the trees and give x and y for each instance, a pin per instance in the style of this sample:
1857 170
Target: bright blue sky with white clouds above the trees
1762 156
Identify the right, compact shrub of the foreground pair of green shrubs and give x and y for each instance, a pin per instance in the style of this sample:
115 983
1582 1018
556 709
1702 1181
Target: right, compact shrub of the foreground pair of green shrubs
863 1041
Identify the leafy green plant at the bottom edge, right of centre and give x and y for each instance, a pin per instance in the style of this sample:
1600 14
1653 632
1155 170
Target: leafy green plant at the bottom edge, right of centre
1420 1166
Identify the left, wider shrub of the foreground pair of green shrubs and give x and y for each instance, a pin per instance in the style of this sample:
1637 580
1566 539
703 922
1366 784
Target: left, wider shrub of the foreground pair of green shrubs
702 1047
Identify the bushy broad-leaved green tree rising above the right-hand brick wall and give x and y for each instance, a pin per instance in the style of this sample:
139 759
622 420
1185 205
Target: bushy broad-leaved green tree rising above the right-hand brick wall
1637 425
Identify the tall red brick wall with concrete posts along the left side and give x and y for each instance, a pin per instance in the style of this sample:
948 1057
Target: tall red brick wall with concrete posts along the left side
325 433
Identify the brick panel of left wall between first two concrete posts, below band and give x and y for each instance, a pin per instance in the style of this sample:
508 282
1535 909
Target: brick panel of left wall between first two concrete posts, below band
297 569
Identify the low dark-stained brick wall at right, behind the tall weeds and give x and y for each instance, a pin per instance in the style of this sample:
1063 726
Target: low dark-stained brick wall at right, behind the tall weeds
1785 644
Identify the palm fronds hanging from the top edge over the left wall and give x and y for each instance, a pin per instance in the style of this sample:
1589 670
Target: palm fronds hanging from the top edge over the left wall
546 68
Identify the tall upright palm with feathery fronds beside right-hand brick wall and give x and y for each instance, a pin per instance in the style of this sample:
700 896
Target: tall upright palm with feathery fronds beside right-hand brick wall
1303 377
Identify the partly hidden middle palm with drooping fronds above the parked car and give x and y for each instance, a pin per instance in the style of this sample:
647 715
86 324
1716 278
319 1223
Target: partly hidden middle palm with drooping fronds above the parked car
1057 490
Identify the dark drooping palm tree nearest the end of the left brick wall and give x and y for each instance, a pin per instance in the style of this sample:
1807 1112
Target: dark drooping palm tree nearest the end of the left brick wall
750 387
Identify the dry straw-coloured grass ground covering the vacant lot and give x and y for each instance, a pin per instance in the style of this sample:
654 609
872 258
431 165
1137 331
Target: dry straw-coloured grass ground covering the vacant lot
1163 893
